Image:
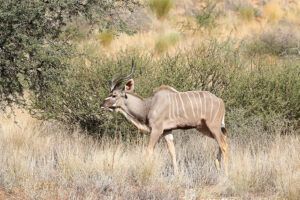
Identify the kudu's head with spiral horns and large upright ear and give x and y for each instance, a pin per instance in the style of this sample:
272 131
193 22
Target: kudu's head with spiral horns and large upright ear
117 96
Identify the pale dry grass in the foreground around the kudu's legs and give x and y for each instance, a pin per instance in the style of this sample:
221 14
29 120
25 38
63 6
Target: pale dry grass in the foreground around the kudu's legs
41 160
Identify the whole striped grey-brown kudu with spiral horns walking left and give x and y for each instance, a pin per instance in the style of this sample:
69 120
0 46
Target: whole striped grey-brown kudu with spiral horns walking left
167 110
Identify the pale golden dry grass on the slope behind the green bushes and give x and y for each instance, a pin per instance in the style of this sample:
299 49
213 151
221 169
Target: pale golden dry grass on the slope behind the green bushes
238 21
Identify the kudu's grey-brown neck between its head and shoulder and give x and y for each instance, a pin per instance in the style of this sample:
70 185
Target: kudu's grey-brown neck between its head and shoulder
137 107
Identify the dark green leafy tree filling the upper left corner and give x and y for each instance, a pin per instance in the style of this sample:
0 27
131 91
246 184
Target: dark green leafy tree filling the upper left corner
33 41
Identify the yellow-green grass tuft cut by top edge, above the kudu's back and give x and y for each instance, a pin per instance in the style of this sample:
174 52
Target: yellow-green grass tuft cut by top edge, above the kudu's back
161 7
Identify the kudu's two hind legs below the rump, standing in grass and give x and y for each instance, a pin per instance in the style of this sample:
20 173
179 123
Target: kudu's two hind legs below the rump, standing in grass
221 140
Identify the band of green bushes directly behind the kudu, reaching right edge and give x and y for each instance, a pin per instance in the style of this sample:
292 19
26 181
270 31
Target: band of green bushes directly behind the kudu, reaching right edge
265 92
